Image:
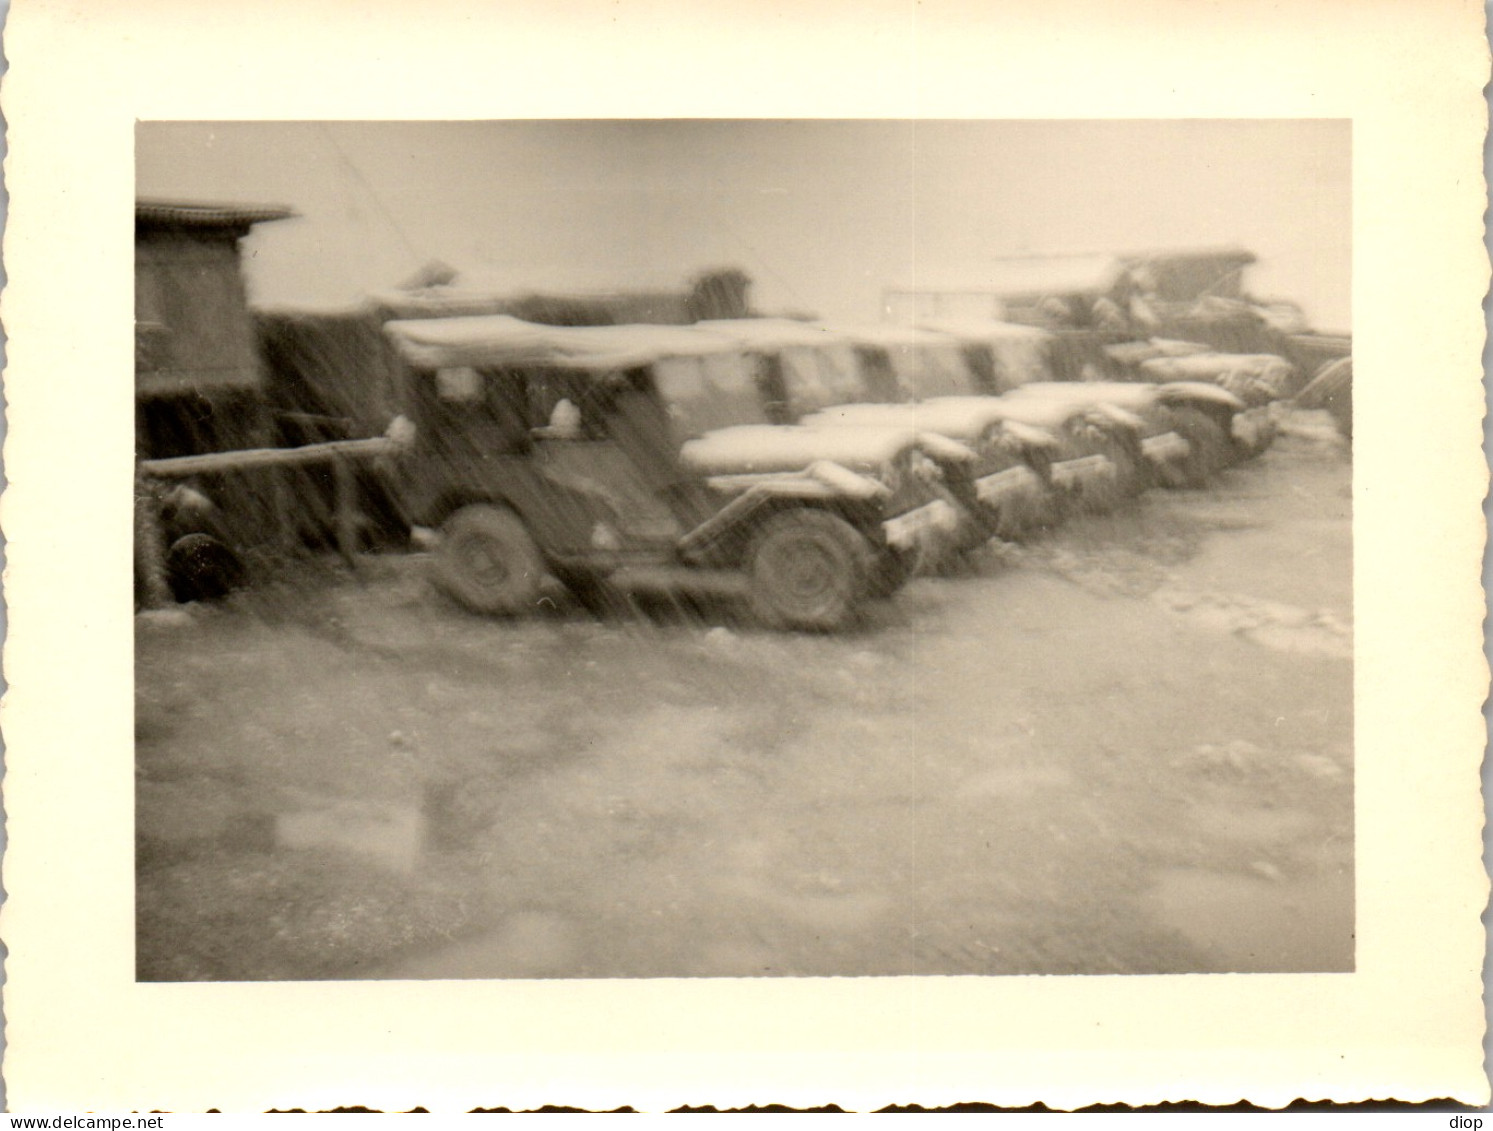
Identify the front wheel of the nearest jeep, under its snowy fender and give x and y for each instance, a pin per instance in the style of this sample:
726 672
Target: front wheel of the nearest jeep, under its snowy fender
808 569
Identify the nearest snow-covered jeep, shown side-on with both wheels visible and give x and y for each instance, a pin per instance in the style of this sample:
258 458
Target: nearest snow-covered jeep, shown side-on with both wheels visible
582 451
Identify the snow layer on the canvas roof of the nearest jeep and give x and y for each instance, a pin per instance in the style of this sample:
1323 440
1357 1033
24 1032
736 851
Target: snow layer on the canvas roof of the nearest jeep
505 341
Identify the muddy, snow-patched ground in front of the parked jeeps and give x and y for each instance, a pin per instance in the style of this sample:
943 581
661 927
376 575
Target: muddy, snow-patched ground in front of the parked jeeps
1125 750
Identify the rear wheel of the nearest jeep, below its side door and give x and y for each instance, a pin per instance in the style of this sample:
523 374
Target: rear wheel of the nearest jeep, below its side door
487 562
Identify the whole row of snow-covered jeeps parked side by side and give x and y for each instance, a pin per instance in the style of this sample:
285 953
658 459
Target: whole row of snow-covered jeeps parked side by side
823 465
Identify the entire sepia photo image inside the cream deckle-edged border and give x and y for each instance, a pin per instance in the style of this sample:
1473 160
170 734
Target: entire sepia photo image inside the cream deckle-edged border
680 548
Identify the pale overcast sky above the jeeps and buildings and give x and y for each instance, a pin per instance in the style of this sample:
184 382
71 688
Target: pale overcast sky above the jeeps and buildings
823 216
